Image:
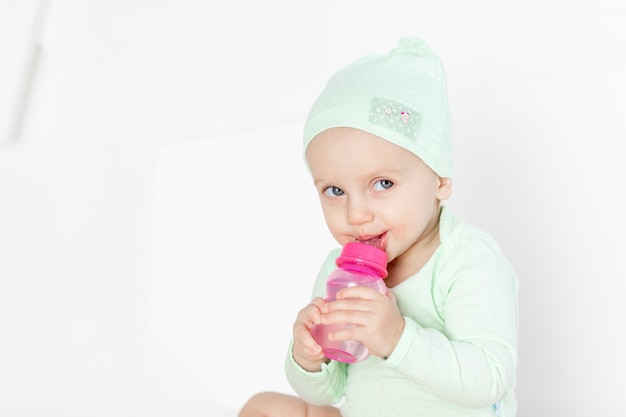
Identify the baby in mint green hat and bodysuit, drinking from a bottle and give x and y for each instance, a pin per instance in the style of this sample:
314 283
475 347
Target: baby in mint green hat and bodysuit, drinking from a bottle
443 341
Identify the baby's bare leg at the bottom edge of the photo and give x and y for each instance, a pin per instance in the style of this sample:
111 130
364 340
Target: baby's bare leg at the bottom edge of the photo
272 404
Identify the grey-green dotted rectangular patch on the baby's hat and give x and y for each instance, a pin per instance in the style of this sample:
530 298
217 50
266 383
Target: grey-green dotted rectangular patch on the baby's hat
395 116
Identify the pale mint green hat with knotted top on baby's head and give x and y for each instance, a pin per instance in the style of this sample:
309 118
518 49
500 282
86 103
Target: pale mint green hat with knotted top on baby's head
400 97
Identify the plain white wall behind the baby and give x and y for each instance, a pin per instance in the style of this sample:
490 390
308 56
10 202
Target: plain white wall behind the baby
158 231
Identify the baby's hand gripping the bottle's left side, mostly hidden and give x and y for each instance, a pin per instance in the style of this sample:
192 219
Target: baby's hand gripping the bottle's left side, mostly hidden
306 352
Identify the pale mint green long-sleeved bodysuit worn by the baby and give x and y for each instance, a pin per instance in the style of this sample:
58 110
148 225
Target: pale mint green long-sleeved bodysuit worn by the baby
458 353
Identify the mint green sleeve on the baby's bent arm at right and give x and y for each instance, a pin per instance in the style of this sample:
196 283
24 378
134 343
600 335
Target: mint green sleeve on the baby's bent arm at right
464 350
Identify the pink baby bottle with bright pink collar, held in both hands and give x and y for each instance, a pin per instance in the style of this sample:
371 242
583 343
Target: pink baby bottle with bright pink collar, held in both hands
358 264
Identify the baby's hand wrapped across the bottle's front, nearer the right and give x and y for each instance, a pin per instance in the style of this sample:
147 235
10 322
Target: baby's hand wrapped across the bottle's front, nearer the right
379 323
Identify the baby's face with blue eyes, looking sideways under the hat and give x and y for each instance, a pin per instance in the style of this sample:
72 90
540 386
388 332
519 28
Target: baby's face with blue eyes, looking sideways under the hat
372 190
